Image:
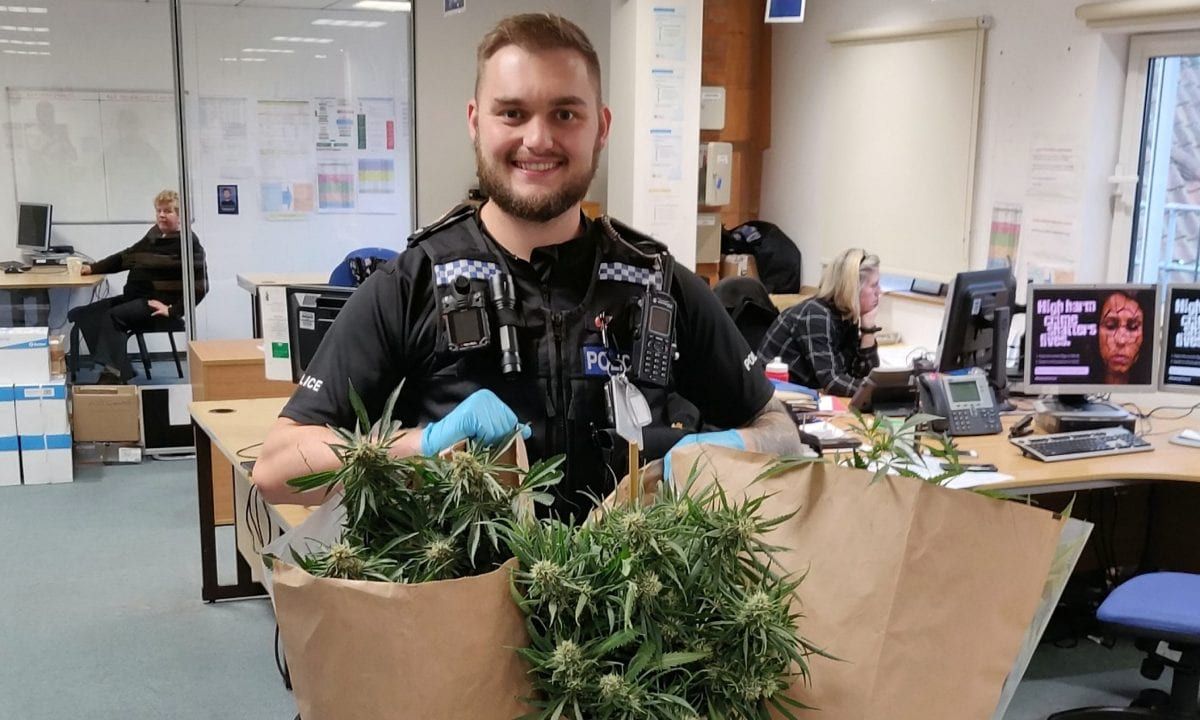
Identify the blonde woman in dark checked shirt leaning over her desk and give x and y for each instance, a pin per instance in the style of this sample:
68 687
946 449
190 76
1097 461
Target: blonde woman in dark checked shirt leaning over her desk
829 341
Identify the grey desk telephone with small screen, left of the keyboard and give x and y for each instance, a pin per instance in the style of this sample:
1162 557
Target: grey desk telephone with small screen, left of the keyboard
964 404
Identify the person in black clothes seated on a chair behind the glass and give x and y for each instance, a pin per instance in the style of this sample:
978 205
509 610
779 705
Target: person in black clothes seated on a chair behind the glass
154 289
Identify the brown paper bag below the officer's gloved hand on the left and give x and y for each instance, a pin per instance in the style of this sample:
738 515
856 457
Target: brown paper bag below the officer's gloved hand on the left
437 651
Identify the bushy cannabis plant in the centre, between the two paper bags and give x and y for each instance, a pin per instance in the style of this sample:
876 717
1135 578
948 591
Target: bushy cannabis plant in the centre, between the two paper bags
671 610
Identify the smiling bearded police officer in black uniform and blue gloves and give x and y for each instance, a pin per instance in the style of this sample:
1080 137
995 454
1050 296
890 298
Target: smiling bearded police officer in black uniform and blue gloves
523 311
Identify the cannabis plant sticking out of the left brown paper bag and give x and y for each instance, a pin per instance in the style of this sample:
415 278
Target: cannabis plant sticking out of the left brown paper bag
421 519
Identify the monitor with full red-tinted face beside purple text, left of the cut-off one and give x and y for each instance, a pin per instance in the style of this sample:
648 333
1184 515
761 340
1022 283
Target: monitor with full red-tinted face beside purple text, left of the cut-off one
1087 340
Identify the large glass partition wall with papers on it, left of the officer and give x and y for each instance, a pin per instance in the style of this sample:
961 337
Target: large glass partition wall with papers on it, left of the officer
296 119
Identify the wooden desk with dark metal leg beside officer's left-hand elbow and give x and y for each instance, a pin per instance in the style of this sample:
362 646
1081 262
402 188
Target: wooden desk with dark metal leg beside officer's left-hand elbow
229 427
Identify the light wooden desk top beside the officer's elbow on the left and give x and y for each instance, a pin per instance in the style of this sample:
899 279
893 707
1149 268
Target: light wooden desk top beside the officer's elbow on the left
242 425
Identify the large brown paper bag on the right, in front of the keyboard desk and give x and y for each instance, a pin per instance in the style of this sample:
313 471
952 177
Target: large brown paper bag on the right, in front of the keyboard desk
923 593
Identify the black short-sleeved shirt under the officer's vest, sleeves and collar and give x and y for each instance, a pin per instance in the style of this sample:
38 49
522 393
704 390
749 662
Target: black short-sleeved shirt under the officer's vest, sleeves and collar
387 333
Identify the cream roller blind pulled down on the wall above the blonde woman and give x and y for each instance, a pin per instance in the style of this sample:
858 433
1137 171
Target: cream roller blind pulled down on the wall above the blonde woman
899 169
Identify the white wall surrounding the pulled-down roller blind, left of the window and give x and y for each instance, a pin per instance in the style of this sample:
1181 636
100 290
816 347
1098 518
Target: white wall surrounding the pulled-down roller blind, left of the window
1046 77
